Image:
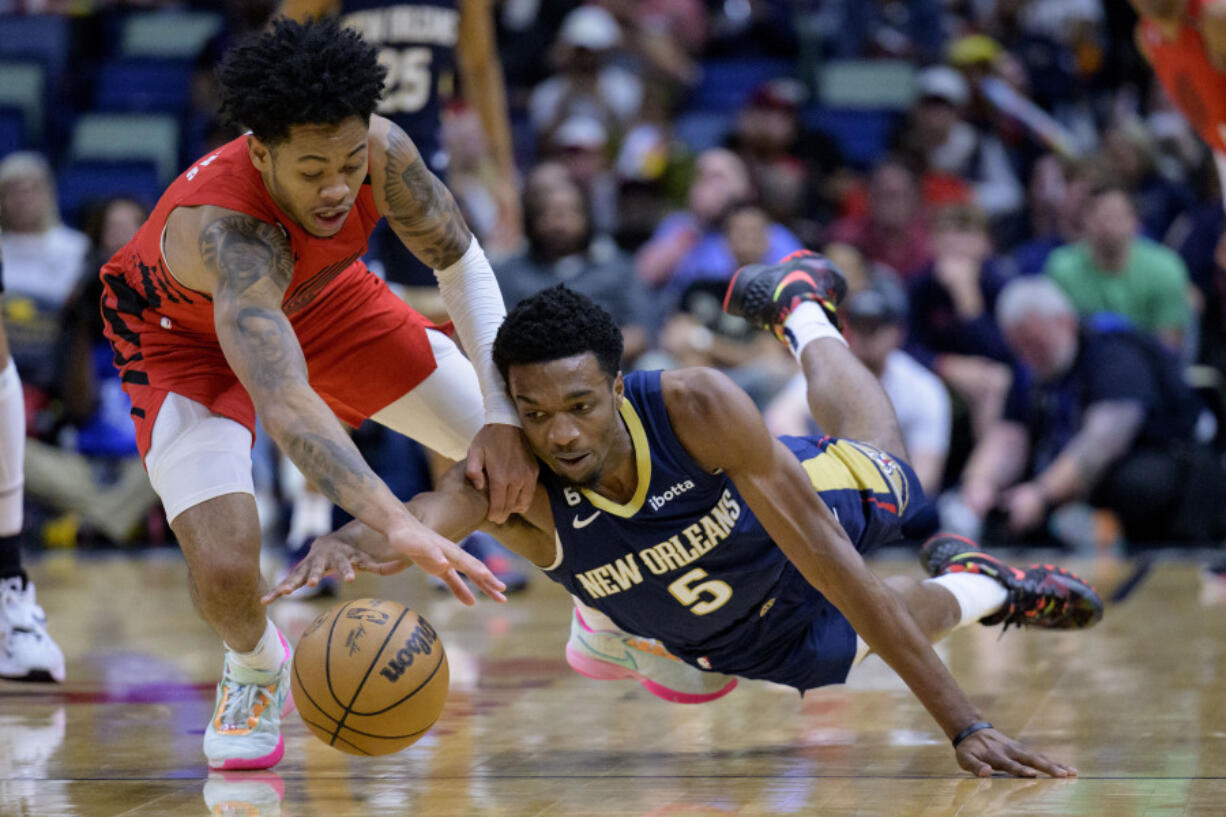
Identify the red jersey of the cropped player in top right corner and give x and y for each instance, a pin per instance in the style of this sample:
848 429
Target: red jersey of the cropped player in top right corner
1196 88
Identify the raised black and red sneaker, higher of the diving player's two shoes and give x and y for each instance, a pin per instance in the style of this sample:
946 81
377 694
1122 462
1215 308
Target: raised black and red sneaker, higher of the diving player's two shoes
767 294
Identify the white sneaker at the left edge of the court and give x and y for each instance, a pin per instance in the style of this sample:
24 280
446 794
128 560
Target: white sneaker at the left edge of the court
28 653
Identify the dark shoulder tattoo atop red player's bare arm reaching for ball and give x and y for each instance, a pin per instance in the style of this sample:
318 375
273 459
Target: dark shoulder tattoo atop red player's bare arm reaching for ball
245 251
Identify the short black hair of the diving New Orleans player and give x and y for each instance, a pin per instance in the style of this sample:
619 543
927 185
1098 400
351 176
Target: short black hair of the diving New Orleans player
558 323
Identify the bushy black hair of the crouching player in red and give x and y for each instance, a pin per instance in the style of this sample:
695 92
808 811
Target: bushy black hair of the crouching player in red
300 74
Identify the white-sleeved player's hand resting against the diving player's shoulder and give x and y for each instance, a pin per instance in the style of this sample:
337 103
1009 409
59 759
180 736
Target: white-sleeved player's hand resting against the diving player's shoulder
501 461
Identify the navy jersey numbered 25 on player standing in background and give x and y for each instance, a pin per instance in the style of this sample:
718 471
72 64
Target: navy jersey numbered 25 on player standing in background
417 44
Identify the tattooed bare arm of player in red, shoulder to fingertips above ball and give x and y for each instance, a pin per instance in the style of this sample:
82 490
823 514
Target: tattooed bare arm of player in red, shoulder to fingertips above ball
249 264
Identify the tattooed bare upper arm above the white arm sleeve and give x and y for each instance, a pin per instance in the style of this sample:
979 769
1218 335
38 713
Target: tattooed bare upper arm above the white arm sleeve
420 208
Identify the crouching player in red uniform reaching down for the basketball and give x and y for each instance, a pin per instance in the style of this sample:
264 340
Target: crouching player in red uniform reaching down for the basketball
243 295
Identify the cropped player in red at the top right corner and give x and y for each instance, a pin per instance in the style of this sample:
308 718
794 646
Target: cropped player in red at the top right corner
1185 41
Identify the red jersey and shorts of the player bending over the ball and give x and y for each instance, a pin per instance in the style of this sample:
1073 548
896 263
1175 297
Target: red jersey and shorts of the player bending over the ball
365 348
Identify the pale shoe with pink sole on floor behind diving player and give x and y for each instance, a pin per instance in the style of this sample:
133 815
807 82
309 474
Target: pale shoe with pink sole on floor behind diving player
612 654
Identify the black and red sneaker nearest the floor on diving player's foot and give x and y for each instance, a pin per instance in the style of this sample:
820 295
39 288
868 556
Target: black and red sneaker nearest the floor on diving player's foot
1043 596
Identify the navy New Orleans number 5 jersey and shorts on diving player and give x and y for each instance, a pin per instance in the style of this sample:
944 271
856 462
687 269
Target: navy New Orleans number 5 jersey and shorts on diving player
688 562
